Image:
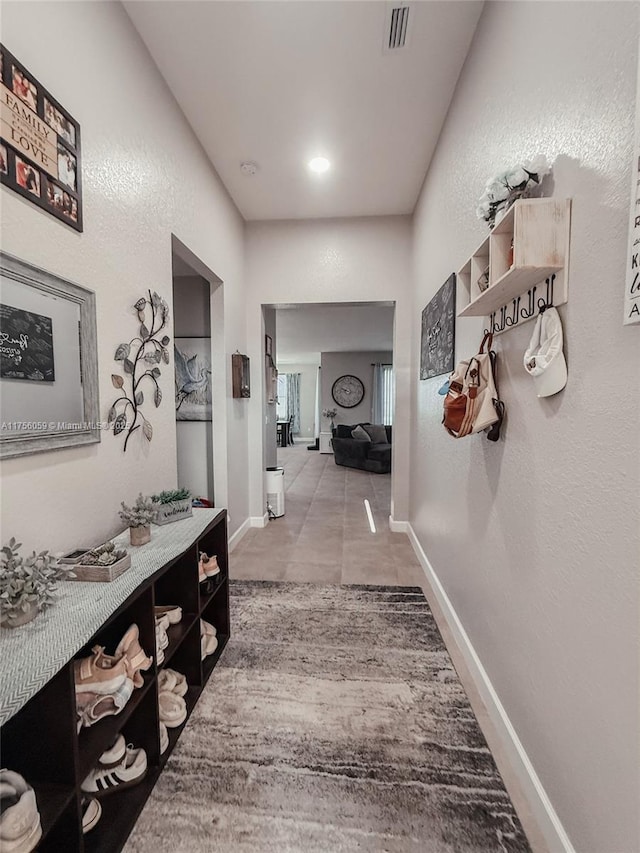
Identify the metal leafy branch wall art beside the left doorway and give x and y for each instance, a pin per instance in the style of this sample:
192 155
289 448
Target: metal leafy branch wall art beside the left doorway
140 359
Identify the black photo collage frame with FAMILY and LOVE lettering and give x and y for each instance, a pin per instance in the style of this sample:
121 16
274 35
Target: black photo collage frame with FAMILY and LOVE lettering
39 144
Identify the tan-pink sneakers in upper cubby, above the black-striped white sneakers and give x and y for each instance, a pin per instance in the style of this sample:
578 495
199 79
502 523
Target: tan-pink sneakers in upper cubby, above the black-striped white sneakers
104 683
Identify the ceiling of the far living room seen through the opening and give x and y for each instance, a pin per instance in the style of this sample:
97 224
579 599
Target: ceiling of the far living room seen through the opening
304 331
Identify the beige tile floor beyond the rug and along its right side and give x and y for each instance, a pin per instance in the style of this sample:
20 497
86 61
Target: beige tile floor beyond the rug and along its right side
324 537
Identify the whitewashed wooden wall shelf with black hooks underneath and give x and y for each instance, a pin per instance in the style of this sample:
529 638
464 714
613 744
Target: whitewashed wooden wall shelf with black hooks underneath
530 244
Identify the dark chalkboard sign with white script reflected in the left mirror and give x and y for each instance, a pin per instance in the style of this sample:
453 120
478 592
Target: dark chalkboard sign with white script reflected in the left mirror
26 345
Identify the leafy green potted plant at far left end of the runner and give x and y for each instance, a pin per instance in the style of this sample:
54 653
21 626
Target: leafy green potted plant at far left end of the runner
27 584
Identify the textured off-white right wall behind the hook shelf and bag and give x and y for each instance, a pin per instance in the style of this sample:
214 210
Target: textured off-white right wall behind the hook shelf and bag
535 538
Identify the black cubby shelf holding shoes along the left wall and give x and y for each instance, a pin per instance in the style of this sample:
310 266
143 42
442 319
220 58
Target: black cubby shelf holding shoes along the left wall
41 740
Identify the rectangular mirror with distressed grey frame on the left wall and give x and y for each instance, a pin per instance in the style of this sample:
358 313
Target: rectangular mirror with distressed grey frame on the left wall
48 361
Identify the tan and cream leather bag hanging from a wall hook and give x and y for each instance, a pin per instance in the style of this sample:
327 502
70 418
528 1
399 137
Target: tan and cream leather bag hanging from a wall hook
472 403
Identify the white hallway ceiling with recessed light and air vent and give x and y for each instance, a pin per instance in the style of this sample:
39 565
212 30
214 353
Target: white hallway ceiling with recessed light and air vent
281 82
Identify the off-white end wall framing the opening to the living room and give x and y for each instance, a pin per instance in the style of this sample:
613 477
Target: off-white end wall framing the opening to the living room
334 260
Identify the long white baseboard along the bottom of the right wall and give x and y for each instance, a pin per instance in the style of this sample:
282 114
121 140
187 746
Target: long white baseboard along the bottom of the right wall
548 821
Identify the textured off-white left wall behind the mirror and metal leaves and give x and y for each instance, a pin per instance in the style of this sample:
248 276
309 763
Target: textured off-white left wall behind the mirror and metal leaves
145 177
